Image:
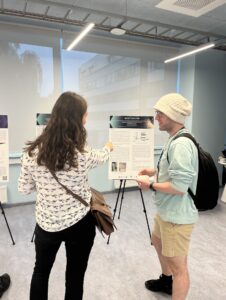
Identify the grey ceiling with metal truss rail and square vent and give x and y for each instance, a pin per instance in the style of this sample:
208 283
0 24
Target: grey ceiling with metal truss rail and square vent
140 18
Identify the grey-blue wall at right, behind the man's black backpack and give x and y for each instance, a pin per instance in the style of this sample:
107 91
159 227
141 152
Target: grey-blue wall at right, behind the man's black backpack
204 79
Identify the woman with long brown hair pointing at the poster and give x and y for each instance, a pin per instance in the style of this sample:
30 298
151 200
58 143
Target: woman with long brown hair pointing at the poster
61 150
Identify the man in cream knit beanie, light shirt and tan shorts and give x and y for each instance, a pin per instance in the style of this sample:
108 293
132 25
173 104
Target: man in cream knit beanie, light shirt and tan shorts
177 170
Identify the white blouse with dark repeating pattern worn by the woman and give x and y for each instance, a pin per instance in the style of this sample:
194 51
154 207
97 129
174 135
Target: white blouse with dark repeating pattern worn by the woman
55 209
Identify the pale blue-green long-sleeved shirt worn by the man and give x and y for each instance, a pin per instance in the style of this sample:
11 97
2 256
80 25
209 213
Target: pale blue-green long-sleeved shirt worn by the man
180 168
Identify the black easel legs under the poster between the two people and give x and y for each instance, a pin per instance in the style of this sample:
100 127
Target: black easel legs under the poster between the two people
121 191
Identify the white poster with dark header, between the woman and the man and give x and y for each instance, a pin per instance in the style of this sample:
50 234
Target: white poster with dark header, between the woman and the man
133 141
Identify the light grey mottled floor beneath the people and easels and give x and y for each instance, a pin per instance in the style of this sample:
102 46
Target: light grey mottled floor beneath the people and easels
117 270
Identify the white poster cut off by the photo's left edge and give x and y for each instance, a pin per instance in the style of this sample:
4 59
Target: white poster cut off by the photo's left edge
4 149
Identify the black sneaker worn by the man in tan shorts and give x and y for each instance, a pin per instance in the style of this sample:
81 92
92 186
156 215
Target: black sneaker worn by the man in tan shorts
160 285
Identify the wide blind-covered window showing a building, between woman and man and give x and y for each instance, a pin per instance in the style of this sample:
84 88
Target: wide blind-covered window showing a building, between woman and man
114 85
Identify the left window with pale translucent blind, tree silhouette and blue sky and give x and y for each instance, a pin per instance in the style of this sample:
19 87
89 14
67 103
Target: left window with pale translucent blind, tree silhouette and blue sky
27 87
